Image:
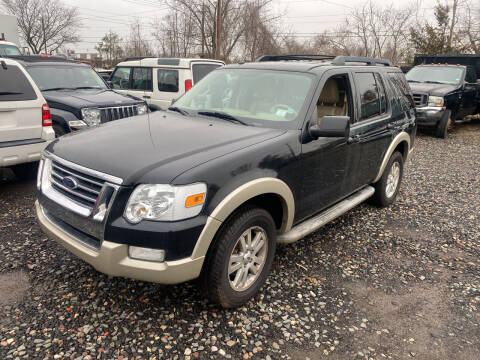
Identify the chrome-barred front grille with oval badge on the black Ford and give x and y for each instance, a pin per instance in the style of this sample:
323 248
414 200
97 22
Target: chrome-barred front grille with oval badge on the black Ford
85 190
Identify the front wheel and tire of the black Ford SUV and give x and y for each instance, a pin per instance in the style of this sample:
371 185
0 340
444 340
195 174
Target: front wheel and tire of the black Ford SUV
228 290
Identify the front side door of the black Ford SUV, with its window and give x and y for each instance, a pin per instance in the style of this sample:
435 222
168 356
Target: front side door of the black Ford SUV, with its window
327 162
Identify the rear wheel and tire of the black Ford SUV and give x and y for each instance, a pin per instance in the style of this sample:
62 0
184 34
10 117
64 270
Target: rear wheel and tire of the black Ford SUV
386 189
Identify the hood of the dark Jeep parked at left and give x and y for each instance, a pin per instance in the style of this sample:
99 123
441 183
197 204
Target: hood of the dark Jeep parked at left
77 99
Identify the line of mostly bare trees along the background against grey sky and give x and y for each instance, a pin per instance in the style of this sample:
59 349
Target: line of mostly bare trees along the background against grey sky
250 28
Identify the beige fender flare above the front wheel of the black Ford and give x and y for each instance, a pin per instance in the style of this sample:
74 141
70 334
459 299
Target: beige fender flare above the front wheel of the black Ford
238 197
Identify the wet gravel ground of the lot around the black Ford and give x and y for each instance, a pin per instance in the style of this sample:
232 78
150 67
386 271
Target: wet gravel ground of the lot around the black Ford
390 283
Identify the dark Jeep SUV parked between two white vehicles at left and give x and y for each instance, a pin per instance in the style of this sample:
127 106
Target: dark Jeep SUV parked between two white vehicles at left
78 97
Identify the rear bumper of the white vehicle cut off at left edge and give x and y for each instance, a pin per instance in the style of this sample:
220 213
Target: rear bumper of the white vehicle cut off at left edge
24 151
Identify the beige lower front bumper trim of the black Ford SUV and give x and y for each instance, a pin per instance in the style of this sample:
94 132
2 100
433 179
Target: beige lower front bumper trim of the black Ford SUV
112 258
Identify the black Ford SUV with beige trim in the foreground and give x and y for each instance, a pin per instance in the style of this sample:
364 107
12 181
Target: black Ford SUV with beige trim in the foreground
254 155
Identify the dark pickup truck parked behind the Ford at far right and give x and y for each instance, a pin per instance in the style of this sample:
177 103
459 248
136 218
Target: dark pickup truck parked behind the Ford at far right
445 88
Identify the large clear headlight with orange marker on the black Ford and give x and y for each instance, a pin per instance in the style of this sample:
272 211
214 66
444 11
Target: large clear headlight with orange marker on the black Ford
165 202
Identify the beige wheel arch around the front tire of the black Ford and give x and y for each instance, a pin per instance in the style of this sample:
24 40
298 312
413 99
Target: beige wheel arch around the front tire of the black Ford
260 192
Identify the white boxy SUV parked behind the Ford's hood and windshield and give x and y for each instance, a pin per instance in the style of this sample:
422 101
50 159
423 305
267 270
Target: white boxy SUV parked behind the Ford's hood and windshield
160 80
